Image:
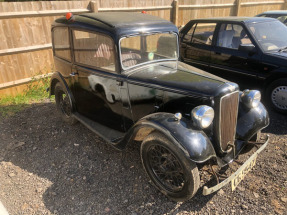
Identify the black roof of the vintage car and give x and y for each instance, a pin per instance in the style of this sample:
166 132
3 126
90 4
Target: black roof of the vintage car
118 23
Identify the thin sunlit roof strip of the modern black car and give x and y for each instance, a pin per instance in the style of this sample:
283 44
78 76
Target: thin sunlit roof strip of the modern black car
235 19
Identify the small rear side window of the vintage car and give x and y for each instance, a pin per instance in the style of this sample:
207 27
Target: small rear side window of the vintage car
61 43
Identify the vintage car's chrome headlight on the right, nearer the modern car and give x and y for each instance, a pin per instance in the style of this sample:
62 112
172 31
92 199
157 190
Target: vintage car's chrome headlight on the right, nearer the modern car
250 98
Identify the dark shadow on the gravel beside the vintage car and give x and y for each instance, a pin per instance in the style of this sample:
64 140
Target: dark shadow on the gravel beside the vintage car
88 176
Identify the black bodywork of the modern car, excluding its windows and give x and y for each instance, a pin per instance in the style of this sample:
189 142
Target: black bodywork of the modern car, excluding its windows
254 70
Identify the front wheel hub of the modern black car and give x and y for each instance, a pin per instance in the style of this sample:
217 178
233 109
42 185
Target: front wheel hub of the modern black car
279 97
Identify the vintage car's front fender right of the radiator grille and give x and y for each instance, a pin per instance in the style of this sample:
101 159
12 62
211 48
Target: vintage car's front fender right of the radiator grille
250 121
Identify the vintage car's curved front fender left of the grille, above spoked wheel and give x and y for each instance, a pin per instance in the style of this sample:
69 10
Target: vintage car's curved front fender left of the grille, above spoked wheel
194 143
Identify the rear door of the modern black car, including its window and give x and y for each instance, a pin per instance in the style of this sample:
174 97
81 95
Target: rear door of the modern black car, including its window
196 43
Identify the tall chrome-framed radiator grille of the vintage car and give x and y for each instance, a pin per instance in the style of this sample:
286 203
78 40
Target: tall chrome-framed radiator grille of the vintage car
228 119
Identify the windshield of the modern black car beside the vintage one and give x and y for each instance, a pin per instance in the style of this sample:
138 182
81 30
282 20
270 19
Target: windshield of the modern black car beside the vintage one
272 36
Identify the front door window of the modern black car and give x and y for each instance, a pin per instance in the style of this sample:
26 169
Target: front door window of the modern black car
231 36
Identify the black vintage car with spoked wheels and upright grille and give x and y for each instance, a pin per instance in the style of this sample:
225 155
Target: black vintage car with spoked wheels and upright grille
119 74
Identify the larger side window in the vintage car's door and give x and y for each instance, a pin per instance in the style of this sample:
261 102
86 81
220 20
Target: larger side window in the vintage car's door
94 49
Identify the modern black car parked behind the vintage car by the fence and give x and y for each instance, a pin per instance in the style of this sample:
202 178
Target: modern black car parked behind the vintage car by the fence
250 51
